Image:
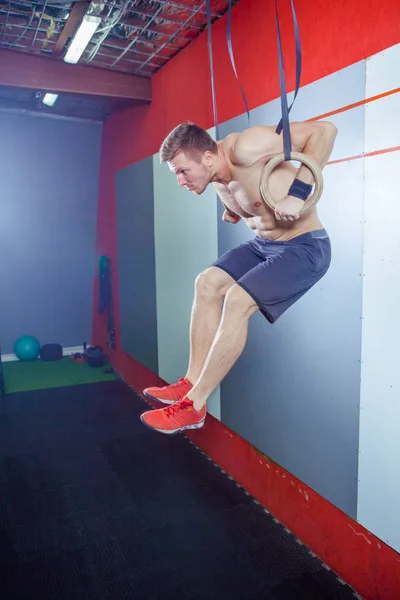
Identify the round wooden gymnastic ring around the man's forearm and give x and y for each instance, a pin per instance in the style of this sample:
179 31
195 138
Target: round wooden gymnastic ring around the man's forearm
305 160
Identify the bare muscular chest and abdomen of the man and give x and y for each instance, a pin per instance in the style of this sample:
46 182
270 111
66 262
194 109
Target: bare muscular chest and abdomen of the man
242 197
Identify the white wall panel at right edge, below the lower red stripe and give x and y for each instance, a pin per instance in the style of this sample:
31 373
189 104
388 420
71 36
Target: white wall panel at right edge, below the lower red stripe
379 482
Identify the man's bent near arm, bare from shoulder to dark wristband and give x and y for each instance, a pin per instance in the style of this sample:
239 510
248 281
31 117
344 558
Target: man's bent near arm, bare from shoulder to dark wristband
314 138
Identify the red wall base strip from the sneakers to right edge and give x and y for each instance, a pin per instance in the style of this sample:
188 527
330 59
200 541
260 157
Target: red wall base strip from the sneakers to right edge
360 558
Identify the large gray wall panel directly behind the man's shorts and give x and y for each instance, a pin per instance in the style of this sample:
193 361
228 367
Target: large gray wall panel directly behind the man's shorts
294 392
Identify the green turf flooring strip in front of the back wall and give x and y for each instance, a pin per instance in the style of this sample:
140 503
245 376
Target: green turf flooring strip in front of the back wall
40 375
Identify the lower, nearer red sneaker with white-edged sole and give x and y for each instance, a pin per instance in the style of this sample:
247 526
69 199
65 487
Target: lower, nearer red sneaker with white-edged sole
174 418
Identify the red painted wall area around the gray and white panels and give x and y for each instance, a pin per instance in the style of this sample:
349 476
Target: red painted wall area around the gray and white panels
334 35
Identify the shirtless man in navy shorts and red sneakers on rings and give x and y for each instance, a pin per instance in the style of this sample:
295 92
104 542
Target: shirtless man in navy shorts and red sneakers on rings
290 252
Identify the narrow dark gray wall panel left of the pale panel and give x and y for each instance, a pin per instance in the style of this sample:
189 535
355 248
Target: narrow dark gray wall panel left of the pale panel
136 262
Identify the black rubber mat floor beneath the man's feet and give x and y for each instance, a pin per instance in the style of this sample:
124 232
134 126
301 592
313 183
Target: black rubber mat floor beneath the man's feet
93 505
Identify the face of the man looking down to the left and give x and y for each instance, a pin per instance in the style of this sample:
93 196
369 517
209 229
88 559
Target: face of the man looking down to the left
193 175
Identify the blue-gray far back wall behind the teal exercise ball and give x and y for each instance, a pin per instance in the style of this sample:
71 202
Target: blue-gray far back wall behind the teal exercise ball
49 172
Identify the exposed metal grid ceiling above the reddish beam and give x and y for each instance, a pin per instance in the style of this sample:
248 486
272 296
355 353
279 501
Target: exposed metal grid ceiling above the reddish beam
135 36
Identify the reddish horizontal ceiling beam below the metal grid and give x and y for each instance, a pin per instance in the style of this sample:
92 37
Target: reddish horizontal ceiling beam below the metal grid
29 71
